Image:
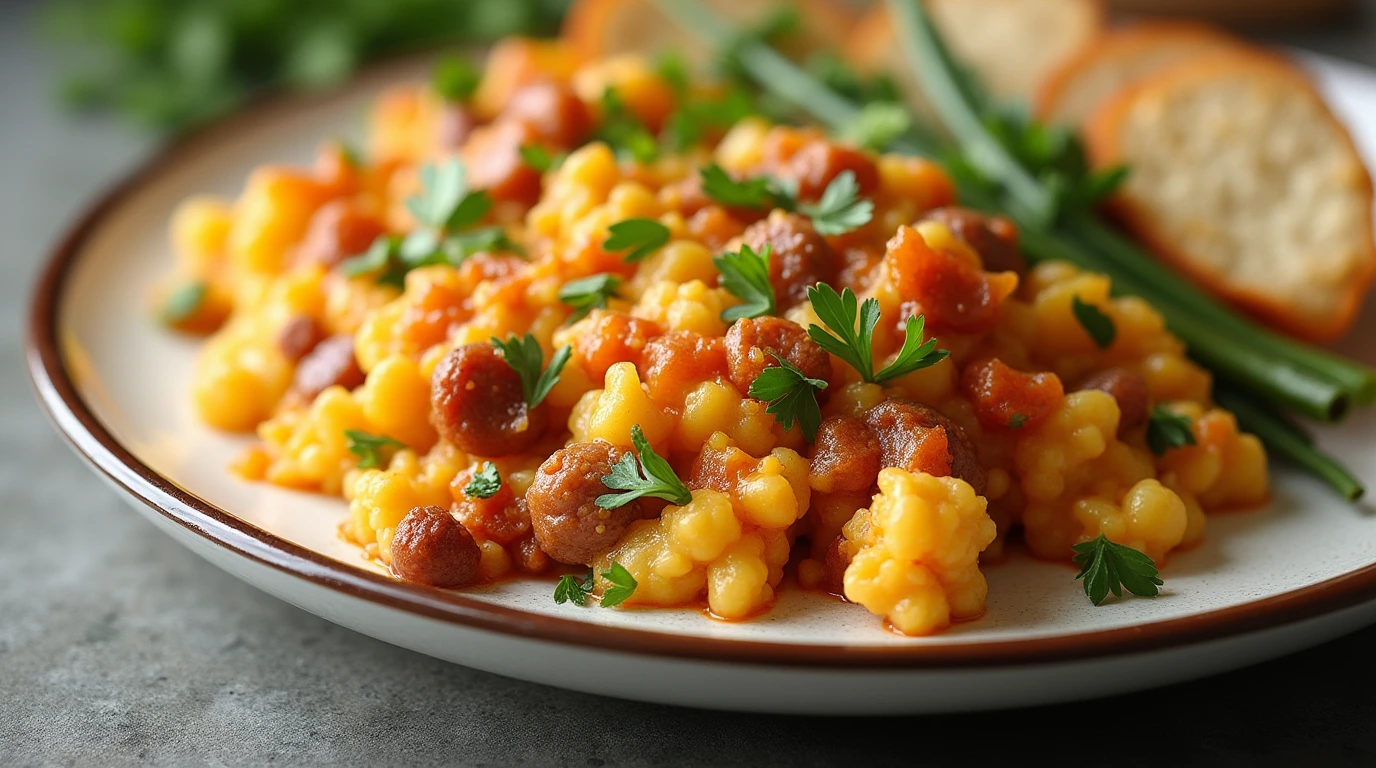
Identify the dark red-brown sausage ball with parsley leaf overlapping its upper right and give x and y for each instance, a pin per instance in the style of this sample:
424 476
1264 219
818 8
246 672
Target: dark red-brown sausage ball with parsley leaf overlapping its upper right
478 404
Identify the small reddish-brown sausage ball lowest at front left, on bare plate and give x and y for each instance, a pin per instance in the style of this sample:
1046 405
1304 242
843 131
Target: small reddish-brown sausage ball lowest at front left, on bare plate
431 548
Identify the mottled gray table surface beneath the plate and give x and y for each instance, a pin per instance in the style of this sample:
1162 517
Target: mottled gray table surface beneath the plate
118 646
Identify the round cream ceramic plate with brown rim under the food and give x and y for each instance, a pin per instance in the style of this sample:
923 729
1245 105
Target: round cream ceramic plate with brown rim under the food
1264 584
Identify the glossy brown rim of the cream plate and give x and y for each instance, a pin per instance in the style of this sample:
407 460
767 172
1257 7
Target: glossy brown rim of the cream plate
93 441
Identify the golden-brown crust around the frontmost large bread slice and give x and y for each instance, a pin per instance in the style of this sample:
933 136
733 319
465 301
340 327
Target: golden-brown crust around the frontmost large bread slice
1104 138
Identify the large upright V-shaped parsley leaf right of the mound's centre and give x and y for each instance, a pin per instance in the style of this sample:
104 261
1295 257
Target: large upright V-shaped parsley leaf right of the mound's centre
852 324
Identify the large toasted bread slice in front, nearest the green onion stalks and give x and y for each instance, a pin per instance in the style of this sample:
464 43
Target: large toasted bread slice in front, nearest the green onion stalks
1243 180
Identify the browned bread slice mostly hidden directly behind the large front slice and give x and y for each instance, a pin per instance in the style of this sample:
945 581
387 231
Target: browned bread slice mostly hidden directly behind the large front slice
1141 49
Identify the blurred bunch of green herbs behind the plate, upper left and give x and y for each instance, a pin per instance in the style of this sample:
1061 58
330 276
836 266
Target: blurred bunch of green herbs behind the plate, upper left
169 64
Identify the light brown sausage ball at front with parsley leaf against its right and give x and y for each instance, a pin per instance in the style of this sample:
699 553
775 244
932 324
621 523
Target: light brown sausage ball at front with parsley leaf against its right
563 511
